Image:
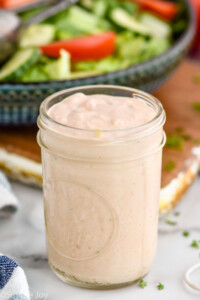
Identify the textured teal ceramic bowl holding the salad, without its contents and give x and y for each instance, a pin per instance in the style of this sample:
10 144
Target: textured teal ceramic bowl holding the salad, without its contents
19 102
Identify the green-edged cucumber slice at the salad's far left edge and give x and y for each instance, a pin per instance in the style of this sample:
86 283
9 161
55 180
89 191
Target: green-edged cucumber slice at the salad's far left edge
19 63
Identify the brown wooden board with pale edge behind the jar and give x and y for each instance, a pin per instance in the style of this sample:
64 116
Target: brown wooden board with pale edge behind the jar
20 154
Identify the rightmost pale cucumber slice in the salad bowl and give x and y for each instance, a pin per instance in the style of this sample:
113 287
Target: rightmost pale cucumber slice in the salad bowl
159 28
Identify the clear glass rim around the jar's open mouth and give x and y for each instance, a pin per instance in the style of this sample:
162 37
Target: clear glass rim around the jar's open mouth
158 120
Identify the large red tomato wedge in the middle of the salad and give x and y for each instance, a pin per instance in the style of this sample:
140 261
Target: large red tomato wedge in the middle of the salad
92 47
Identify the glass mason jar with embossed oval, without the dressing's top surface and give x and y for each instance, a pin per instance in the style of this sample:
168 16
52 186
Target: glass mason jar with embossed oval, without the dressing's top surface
101 195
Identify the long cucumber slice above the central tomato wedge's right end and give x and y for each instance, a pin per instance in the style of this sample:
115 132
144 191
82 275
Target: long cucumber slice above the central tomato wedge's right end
121 18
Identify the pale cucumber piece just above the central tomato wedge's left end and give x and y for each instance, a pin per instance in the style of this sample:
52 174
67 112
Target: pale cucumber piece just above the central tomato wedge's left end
36 35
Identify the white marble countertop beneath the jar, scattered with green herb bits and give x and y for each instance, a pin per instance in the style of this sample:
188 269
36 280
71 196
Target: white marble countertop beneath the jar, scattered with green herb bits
22 237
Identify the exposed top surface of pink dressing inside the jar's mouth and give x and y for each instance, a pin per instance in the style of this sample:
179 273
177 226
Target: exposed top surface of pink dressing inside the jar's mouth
101 112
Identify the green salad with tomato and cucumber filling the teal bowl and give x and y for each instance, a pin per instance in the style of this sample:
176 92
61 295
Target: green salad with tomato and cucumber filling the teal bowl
91 38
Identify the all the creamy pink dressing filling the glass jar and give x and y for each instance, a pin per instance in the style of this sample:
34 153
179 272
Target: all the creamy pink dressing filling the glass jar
101 199
